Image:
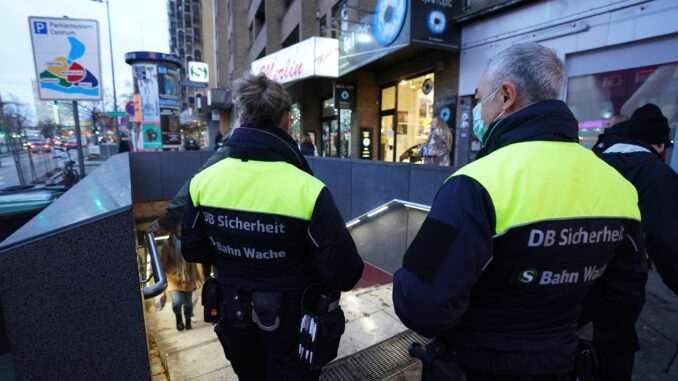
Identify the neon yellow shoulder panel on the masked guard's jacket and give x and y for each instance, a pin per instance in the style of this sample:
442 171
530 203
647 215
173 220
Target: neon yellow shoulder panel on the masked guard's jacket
536 181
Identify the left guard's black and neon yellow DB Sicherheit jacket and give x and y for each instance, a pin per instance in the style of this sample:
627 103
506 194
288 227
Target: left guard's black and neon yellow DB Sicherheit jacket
260 248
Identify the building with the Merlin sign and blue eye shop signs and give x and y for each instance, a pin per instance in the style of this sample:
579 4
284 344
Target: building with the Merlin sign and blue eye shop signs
366 77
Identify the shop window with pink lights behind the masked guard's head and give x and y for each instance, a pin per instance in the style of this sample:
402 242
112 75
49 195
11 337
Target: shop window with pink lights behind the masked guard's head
596 98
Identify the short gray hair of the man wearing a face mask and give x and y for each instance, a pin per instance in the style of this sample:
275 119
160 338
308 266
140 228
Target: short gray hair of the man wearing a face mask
534 69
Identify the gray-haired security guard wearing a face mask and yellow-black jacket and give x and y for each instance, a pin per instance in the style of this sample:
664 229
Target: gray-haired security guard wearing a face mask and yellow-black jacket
515 240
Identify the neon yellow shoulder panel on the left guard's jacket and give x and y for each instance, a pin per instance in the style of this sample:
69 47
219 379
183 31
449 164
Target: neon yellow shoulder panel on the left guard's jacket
257 186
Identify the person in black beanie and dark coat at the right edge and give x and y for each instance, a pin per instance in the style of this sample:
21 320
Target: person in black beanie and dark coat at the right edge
637 156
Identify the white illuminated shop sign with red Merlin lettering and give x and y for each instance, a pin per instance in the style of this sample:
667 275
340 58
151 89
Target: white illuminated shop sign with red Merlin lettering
316 56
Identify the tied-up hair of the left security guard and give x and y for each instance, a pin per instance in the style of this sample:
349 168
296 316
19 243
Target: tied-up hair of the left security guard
263 101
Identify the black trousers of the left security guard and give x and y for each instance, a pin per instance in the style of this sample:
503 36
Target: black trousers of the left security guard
256 355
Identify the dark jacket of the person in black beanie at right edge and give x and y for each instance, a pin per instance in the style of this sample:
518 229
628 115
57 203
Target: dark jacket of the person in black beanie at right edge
657 186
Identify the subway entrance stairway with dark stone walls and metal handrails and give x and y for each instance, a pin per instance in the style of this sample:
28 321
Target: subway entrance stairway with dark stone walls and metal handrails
72 301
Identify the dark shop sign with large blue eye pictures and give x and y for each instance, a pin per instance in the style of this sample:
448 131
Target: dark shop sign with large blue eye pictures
396 24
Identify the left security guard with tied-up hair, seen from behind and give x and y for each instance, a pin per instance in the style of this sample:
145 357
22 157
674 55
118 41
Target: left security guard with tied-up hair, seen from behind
272 229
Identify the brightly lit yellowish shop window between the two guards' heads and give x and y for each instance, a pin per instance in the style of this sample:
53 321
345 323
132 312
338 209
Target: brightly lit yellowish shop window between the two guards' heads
413 114
